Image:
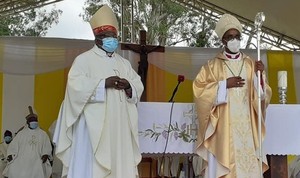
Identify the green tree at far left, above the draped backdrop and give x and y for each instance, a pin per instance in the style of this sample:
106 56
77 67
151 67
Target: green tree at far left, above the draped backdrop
34 22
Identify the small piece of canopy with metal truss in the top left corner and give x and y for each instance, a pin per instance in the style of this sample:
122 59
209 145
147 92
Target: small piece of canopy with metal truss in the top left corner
9 7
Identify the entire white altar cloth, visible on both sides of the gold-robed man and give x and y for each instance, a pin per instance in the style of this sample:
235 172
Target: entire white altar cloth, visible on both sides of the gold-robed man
282 128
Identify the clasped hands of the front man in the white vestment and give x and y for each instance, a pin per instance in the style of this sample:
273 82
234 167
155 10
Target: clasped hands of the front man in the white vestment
117 83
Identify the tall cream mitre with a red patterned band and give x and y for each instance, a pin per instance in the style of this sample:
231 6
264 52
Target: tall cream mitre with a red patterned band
104 19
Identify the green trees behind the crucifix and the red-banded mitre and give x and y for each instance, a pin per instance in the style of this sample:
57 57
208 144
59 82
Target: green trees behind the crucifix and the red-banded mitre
167 23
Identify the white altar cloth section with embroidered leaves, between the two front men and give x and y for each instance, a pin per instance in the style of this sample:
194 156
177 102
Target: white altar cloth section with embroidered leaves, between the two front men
154 119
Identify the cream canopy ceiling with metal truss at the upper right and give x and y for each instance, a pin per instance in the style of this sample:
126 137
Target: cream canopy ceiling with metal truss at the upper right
282 21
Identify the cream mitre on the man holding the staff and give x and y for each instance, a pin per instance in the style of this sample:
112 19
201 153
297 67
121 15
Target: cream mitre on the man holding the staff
226 23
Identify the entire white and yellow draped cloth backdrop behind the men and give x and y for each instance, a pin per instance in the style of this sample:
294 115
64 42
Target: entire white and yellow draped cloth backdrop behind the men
34 72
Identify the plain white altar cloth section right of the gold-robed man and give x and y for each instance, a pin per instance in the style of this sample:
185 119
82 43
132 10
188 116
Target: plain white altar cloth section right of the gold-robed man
282 130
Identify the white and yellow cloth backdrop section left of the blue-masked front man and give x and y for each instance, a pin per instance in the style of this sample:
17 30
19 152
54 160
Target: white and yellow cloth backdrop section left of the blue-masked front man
33 73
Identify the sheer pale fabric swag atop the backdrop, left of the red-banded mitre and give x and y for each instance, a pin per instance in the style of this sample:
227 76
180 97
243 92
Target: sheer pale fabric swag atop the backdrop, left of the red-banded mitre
32 55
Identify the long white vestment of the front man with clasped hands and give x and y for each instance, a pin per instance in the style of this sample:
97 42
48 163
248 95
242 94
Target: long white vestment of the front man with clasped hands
96 134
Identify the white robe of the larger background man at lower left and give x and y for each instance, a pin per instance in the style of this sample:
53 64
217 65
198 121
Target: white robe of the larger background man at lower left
27 149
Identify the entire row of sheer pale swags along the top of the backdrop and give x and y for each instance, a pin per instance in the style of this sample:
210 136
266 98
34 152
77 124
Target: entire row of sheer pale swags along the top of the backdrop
34 55
